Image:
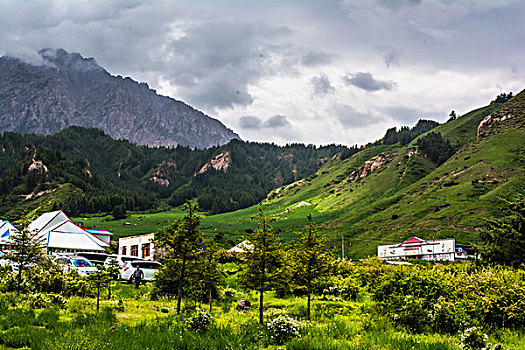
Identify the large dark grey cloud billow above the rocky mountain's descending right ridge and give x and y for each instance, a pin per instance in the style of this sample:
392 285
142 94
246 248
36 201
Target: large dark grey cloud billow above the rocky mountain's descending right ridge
221 58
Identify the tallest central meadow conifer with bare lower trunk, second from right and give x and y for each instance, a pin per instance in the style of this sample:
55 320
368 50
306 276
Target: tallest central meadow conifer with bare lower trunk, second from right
264 262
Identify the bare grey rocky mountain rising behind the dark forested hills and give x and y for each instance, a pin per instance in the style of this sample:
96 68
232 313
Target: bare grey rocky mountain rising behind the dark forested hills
65 89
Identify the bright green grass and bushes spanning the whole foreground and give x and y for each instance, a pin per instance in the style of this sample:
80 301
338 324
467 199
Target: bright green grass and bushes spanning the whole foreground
366 305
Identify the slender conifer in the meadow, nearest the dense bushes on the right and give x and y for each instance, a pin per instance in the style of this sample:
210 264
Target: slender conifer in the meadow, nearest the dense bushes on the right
310 262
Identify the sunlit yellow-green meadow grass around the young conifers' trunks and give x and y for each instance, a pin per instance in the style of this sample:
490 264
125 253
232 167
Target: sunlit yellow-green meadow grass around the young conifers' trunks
131 320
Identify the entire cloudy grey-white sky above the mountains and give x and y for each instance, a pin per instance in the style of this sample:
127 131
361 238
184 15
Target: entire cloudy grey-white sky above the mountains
293 71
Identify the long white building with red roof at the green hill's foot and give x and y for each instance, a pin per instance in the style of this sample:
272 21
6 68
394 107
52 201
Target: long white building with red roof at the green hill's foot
417 248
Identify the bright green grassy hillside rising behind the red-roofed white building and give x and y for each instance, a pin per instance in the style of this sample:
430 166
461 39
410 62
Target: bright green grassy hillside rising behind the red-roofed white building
407 196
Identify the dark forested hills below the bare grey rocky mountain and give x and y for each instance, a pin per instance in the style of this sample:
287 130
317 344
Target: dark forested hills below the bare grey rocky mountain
103 169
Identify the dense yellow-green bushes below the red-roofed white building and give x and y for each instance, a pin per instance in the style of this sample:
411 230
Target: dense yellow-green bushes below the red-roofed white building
451 299
